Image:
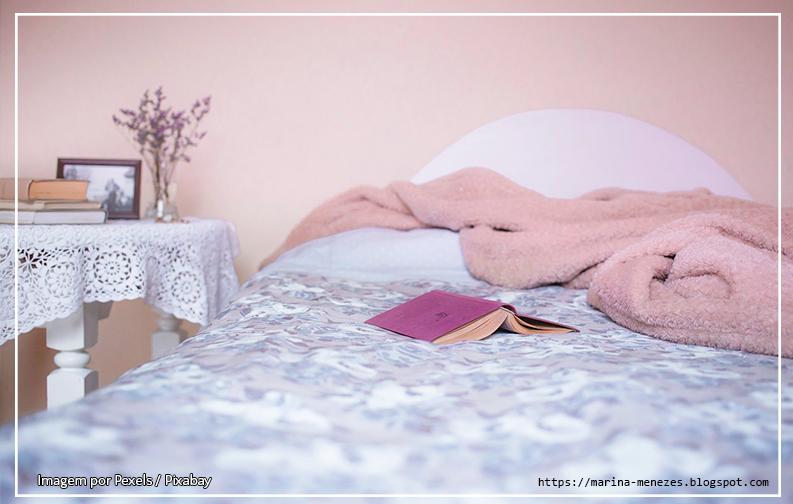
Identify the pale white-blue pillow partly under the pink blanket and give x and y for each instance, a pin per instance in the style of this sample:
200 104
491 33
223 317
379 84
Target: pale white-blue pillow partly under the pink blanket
377 254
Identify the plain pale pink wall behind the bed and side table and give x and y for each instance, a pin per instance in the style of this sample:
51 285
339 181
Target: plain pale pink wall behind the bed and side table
307 107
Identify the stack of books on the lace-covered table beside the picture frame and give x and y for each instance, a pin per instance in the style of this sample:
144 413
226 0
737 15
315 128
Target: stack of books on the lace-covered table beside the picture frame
50 201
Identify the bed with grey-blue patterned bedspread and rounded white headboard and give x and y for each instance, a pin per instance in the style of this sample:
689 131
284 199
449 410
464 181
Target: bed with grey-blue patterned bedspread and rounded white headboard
287 391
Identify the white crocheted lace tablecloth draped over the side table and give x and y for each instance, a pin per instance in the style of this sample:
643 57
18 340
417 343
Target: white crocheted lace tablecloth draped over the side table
184 269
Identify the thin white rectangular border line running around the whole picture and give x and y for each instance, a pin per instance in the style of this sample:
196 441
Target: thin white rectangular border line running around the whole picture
778 15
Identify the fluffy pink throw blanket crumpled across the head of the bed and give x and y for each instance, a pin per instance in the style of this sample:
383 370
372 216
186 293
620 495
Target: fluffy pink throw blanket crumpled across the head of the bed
689 267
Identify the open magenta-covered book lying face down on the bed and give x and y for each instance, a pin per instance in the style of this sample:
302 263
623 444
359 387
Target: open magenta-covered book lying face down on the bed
445 317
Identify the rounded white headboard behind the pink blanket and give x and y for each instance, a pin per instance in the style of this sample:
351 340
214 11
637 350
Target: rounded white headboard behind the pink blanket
564 153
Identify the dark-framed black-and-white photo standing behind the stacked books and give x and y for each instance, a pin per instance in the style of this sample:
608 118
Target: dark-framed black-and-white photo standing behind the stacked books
110 181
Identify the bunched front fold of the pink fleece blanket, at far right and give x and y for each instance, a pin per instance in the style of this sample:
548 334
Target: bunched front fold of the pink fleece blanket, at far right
706 279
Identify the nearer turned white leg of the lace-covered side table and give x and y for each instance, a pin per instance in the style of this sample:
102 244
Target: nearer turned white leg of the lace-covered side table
71 336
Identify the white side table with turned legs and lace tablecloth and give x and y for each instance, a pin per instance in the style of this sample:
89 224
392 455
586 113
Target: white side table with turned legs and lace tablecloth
69 276
